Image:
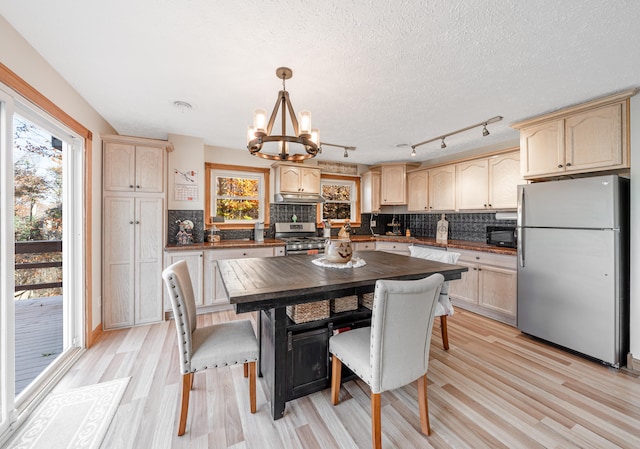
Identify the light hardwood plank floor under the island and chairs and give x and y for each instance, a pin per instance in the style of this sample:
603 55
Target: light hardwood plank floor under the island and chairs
494 388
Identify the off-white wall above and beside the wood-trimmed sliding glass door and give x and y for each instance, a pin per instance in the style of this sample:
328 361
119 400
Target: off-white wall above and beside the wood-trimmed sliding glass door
22 59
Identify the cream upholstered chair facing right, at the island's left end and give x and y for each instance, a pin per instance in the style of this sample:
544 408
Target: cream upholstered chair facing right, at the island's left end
207 347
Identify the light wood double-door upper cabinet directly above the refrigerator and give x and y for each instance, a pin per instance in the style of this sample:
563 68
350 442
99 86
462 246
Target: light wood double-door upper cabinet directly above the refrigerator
585 138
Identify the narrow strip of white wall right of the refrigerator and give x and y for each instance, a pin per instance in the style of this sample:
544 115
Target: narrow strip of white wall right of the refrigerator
635 230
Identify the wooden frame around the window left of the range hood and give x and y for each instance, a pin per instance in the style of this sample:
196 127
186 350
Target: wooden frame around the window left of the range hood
212 168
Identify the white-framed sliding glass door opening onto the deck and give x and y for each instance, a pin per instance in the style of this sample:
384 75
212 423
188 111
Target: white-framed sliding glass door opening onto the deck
42 269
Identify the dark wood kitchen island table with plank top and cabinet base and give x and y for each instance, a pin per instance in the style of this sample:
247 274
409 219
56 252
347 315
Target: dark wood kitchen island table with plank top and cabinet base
269 285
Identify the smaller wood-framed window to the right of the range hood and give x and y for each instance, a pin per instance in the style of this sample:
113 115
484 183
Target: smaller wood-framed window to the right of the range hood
341 194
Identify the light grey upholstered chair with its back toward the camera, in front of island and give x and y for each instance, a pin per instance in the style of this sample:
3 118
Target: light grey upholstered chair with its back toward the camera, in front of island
394 350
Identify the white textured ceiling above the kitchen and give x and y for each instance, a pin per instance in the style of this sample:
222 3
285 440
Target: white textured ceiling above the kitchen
374 73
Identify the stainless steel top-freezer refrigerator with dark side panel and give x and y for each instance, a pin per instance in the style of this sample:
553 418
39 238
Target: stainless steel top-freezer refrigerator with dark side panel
573 264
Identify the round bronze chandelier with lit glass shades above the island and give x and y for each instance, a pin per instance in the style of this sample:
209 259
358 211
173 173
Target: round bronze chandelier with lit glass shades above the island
260 132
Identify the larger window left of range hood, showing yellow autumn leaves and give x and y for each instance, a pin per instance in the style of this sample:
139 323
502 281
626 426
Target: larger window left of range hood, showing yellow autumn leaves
236 194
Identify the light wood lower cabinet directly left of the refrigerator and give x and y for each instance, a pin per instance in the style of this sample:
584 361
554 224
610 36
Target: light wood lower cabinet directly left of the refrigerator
489 288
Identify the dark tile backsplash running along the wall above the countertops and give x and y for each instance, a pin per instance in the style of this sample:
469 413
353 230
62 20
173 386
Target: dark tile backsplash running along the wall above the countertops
462 226
